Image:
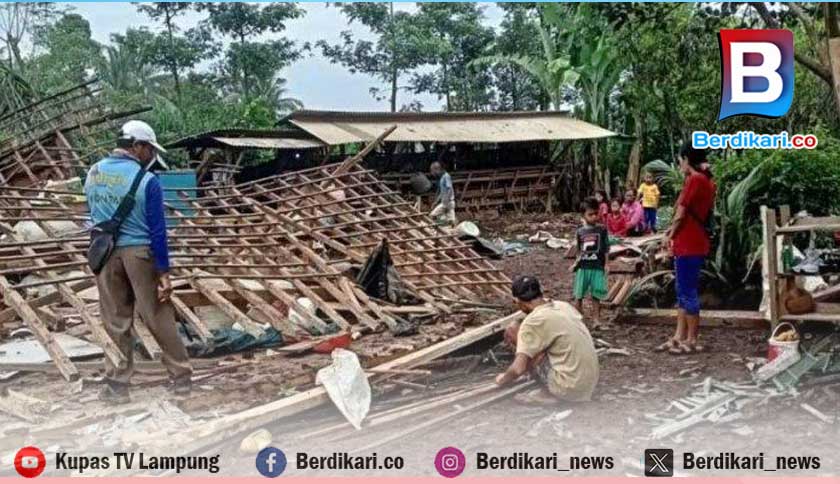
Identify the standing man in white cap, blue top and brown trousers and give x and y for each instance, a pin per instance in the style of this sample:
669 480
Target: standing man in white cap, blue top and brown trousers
137 273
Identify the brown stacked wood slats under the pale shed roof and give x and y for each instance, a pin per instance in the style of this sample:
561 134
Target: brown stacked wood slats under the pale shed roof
522 189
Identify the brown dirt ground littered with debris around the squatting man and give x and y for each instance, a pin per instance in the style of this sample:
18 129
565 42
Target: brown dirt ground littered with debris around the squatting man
633 389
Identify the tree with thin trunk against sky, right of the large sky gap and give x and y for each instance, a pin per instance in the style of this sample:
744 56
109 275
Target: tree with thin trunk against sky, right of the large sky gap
400 47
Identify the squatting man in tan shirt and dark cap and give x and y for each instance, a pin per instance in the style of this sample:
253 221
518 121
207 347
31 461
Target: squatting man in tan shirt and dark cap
553 344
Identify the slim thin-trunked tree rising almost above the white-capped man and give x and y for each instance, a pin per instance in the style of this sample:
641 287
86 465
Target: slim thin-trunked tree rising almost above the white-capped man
170 50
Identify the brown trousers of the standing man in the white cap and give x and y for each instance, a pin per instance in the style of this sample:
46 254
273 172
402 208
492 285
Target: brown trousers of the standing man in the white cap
128 279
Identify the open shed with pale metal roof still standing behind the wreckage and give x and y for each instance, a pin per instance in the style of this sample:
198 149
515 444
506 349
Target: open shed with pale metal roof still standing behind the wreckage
497 160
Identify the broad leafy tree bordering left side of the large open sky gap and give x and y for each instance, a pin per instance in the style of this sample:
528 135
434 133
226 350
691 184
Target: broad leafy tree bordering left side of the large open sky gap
246 62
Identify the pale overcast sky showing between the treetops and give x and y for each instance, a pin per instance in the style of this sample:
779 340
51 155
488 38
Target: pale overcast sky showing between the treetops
313 80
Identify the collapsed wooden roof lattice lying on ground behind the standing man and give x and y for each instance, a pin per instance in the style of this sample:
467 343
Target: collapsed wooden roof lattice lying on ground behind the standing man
280 252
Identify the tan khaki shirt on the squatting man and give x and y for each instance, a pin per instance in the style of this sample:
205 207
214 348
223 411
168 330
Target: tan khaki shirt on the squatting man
558 329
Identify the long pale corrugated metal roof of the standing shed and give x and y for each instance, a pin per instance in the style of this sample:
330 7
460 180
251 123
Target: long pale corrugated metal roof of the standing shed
497 127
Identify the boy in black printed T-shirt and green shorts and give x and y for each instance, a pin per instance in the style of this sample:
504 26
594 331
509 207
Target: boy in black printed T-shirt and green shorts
591 266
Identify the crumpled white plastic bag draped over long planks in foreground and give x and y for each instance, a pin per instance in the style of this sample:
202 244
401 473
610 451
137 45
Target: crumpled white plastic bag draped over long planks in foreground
347 386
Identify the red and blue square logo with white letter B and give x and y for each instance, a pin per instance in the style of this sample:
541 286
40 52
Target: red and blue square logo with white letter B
756 72
